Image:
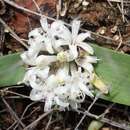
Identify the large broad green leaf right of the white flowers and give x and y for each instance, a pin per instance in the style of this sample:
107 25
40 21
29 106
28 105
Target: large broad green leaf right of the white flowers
114 70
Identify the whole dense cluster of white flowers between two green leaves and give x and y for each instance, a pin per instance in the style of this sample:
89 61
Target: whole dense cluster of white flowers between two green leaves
60 69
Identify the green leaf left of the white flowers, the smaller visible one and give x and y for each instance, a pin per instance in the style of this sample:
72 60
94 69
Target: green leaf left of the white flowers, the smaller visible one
11 69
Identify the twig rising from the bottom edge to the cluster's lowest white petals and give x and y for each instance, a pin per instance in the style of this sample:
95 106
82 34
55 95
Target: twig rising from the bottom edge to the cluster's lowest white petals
37 120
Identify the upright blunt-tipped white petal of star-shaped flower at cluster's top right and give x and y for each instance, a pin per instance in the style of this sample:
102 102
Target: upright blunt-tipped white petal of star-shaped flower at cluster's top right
75 28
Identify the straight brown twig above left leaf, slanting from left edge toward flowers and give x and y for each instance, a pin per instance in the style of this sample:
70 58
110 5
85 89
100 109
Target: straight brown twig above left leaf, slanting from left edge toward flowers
13 33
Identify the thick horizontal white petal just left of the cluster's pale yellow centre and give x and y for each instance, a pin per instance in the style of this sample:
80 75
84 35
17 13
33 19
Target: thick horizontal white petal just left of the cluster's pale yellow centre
45 60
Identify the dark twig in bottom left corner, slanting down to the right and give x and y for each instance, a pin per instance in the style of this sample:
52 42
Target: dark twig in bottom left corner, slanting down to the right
16 118
